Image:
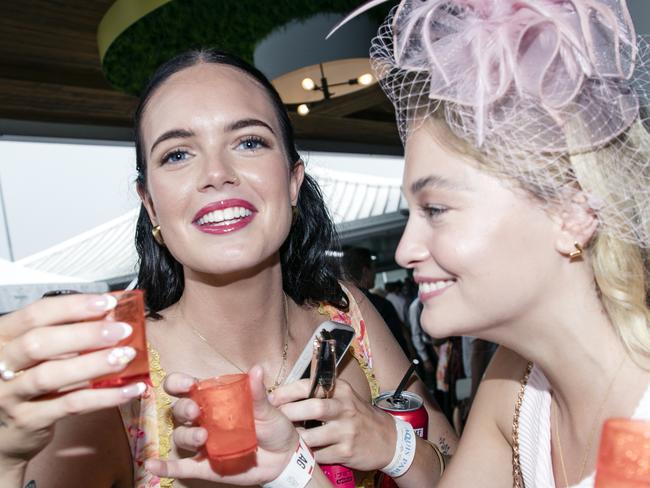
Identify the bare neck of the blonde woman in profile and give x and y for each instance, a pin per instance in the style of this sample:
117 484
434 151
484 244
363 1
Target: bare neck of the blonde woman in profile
570 337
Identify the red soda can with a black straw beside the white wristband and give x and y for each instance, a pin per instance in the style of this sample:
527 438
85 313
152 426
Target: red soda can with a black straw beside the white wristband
410 408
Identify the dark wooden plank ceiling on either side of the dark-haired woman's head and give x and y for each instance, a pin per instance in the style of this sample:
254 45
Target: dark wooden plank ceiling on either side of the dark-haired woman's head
50 72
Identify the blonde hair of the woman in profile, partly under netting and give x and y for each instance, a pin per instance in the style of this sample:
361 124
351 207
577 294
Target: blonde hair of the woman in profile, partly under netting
621 267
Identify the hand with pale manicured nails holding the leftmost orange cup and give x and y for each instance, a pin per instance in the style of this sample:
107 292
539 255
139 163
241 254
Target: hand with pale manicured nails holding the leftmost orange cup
45 368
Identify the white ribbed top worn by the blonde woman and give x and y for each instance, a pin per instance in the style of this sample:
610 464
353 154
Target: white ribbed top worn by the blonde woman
535 433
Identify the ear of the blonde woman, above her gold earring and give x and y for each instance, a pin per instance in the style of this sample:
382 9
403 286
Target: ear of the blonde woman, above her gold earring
578 223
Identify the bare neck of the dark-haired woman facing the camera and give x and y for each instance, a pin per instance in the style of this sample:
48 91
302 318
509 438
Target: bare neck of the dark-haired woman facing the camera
229 311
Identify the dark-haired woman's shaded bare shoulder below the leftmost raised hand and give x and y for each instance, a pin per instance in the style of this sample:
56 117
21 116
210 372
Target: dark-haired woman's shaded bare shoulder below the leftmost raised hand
90 449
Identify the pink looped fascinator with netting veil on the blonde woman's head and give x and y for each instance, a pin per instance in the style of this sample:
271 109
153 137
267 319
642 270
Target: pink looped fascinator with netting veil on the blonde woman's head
525 80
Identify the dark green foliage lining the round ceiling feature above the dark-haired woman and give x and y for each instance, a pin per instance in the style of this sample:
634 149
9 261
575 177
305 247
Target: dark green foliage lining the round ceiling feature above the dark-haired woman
232 25
